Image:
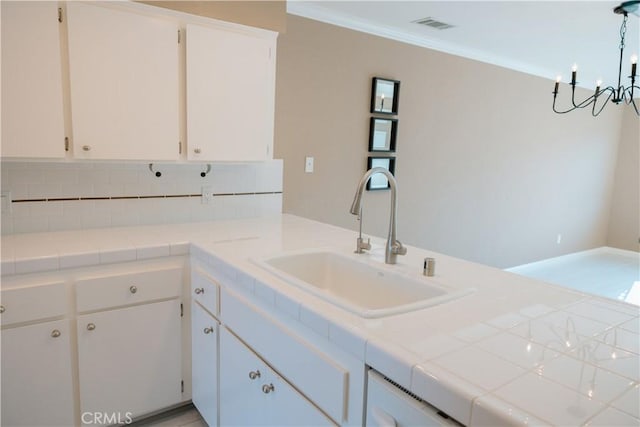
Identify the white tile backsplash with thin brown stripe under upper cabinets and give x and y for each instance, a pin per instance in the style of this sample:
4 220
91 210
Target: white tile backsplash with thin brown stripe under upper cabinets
241 190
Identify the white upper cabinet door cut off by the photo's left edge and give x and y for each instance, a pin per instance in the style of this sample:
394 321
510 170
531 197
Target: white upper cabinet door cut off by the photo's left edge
32 118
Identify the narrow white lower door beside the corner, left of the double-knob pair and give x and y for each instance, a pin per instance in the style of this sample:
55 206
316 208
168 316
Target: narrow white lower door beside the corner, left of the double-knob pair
204 363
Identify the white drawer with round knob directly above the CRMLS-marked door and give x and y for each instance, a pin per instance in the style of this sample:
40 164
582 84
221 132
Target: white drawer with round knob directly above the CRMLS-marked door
98 293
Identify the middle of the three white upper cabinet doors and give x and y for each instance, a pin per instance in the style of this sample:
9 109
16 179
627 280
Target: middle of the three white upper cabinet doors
124 84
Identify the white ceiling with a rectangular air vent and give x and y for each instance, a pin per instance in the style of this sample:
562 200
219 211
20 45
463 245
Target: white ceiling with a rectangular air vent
543 38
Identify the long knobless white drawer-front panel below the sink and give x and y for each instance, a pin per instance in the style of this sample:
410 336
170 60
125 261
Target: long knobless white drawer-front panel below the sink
321 379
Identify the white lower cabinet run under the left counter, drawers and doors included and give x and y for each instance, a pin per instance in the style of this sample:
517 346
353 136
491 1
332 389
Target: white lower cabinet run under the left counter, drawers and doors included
95 345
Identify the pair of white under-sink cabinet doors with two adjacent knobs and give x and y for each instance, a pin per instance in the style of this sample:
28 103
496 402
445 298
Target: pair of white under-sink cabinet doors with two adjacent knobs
251 393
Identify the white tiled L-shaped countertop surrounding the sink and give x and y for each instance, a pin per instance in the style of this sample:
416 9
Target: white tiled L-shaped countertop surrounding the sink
515 351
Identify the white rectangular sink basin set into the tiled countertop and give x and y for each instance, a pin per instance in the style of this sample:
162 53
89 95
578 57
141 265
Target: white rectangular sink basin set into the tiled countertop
366 289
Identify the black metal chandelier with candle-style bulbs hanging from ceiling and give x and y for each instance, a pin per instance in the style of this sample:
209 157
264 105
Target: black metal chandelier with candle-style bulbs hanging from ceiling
620 93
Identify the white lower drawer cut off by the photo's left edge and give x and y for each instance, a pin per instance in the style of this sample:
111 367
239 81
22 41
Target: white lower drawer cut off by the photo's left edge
33 303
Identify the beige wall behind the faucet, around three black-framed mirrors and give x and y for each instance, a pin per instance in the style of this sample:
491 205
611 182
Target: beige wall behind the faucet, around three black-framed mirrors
485 170
